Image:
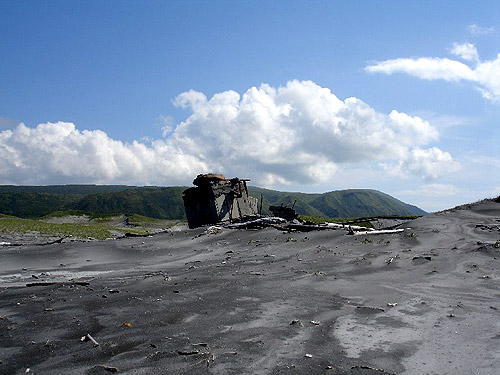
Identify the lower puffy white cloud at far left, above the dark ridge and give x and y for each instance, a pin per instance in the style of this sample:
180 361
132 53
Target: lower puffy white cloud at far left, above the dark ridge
54 153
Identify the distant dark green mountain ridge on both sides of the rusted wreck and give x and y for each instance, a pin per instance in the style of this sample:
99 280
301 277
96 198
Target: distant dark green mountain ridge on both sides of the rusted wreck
166 202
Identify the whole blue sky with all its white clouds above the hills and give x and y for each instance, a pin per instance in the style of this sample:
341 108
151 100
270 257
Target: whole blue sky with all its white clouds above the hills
311 96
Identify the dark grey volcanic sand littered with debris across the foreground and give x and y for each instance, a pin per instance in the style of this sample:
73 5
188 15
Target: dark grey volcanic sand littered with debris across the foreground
238 291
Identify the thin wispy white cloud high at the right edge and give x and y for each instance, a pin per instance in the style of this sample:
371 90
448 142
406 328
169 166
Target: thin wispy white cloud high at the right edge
484 74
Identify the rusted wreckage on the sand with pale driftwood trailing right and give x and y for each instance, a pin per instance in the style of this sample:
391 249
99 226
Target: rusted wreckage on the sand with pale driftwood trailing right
218 200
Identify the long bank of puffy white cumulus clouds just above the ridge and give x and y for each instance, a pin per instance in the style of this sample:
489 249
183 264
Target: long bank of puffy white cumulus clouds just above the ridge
300 133
